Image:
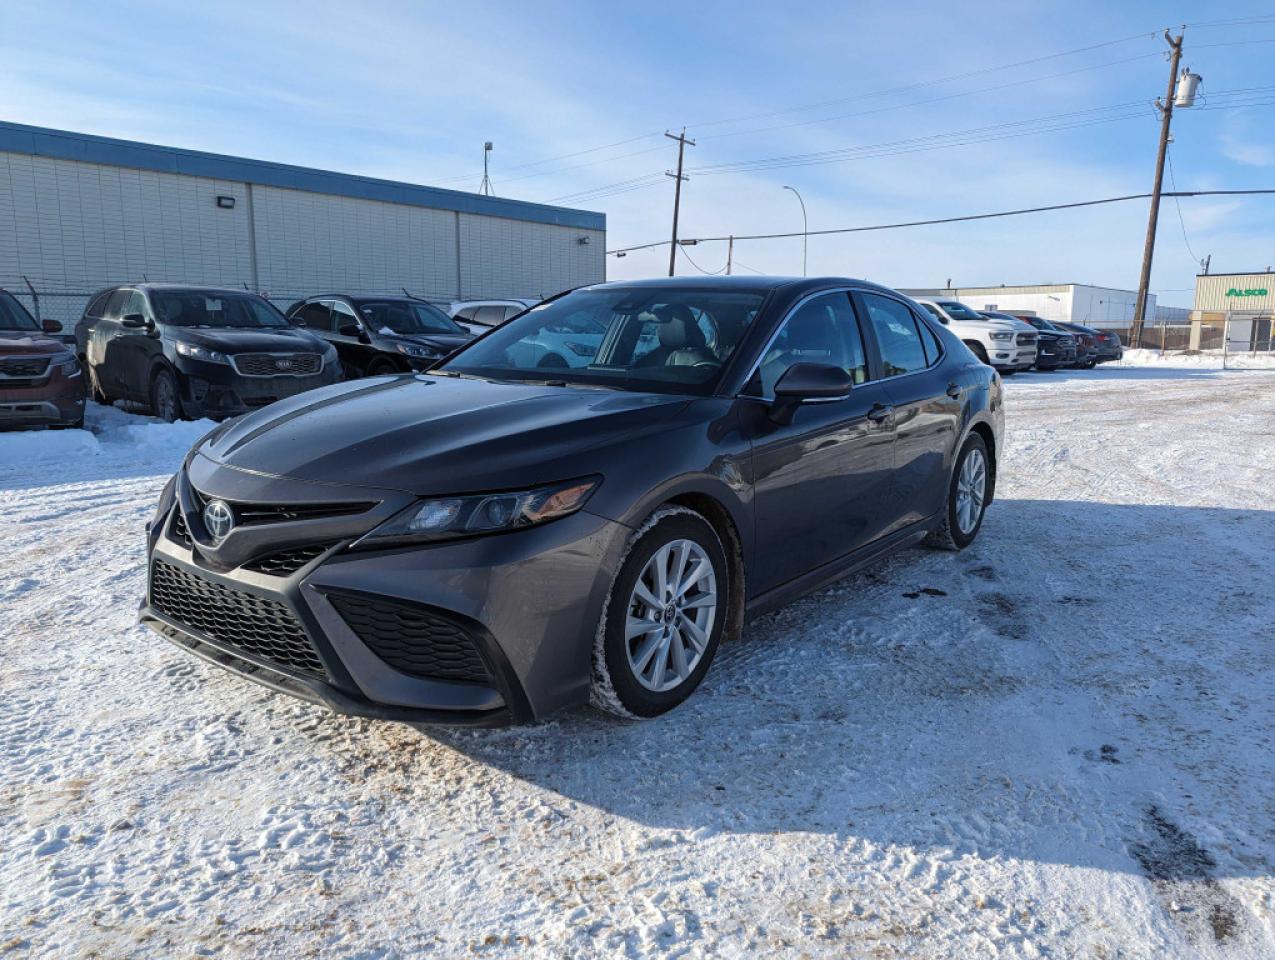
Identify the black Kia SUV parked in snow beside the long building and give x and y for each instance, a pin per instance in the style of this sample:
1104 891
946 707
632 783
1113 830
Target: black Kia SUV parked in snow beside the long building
197 351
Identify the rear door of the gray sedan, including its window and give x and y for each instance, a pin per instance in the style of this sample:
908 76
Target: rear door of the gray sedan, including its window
928 405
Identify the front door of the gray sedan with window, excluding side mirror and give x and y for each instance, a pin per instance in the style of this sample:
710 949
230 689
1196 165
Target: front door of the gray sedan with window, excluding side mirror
822 484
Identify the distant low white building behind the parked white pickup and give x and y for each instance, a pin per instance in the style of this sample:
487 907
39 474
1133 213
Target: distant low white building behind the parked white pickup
1074 303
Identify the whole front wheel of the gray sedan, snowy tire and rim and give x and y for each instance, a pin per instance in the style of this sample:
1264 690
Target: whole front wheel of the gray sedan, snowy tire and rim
657 670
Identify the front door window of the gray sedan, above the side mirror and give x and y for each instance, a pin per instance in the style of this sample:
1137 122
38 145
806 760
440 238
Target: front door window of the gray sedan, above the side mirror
822 331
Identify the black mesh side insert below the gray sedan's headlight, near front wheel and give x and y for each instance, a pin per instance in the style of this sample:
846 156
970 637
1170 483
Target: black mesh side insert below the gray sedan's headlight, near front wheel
412 639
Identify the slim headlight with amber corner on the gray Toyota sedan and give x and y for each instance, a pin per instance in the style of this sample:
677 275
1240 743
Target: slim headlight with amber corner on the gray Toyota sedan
448 518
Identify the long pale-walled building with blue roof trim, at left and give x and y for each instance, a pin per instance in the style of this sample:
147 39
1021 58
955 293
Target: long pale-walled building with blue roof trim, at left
80 212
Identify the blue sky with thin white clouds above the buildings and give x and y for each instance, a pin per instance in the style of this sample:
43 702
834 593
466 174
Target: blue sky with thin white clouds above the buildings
411 90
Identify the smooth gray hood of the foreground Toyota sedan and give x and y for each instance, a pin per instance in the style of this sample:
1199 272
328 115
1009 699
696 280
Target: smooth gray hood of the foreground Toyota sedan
438 435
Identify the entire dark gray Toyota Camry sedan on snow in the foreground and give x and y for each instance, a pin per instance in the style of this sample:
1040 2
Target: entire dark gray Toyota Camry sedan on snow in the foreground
500 537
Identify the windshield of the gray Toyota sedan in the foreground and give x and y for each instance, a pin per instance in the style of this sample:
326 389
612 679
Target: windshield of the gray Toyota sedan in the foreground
665 341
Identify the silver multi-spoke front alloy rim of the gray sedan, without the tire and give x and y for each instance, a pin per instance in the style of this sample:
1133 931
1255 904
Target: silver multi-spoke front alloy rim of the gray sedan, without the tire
671 614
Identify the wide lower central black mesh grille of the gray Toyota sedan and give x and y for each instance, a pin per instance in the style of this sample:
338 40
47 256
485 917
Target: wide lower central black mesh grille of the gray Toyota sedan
240 620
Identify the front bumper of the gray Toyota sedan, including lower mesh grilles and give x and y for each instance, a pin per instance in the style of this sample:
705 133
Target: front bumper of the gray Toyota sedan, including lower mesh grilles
527 602
